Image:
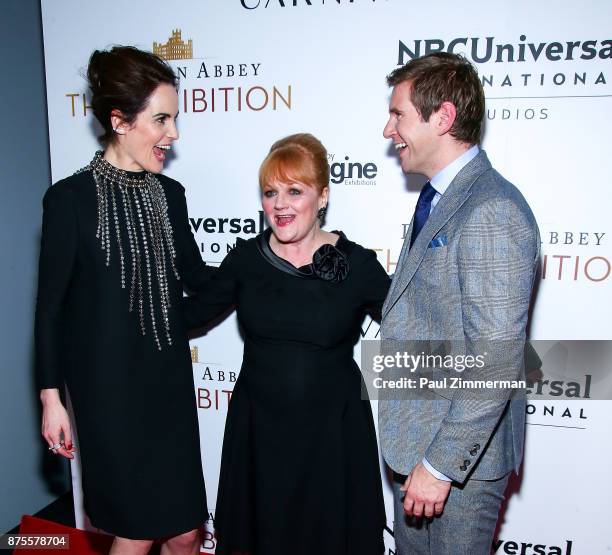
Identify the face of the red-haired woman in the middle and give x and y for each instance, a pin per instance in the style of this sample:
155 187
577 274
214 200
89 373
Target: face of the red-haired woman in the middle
291 209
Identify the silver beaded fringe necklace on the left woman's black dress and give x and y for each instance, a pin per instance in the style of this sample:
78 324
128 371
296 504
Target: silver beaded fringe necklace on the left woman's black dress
148 231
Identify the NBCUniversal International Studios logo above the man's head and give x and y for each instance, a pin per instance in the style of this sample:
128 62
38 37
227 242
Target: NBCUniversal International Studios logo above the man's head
527 68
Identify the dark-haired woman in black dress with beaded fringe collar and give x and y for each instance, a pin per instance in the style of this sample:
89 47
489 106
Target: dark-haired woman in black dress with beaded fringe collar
116 252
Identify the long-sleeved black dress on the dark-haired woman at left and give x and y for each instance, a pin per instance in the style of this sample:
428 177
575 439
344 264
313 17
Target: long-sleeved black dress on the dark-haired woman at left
134 404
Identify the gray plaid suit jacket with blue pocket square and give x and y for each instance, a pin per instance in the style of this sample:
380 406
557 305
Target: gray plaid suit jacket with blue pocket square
475 288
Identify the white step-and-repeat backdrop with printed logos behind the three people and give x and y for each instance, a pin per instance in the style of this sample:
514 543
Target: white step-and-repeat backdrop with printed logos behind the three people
252 71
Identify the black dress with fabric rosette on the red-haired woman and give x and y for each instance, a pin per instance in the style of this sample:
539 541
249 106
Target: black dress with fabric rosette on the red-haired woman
299 471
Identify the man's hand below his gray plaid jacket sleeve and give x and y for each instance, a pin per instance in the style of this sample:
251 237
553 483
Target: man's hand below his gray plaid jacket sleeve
425 494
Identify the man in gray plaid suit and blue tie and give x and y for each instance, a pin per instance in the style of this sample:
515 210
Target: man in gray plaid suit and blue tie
465 276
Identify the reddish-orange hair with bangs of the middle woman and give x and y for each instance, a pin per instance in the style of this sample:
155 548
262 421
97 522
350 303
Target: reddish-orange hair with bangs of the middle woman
296 158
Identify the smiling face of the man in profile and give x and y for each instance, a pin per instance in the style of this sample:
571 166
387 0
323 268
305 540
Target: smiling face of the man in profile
415 140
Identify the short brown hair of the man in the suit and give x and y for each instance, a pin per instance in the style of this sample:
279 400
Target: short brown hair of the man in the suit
443 77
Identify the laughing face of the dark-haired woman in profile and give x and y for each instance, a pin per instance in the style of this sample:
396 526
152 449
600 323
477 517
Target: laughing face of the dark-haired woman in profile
143 144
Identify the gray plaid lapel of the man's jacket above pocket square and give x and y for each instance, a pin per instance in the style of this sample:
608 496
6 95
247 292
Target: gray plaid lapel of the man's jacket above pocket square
410 258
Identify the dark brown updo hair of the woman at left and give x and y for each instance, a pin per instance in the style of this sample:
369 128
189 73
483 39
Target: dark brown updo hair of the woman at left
123 78
